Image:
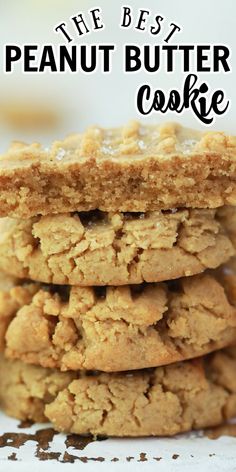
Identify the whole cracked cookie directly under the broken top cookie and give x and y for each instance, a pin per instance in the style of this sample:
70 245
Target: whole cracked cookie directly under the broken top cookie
97 248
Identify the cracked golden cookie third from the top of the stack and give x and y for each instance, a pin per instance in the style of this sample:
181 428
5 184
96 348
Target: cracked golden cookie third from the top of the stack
124 328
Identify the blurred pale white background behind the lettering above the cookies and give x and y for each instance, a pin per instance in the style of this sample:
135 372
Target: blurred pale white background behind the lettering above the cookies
109 99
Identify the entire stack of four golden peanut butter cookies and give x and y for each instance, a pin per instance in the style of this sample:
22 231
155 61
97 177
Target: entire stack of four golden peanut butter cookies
118 300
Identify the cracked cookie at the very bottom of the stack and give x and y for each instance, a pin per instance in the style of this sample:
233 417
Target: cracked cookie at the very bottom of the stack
155 402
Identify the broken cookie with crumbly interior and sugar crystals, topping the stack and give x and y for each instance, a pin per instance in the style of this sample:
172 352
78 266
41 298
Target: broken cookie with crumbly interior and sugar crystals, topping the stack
135 168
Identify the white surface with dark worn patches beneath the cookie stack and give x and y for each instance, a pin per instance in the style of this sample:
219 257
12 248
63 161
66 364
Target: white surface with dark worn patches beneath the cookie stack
195 453
